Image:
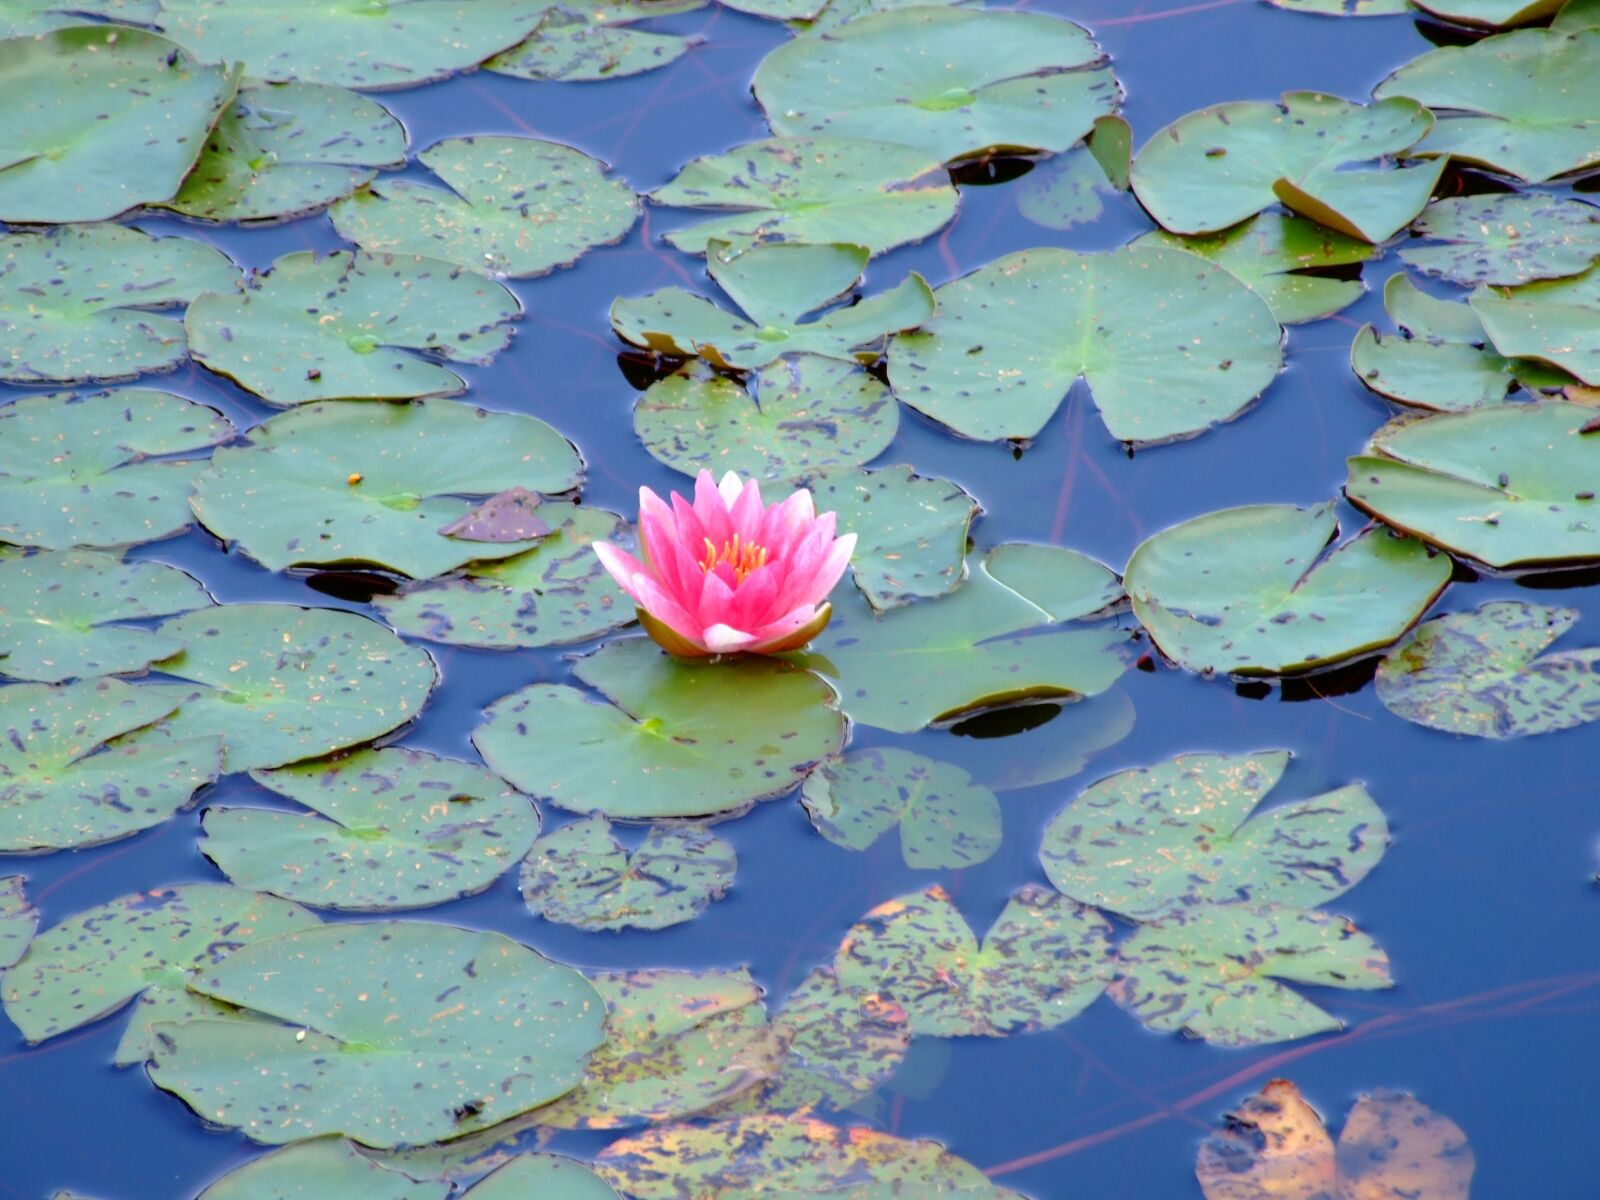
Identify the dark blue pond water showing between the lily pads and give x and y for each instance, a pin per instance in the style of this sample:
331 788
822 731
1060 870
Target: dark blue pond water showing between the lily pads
1486 902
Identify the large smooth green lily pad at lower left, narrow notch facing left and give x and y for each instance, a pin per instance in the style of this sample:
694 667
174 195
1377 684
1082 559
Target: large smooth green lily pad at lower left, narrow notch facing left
393 1033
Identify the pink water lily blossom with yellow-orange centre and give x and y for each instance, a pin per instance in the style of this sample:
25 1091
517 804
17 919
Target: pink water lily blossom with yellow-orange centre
729 574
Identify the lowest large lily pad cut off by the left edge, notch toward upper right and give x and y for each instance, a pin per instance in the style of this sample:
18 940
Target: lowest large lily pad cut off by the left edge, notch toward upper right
82 764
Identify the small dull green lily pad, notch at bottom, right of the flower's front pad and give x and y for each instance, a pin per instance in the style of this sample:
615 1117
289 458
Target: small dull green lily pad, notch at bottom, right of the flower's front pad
946 820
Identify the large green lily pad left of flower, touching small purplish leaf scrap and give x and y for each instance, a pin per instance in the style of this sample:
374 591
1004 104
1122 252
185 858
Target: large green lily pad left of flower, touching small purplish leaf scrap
375 484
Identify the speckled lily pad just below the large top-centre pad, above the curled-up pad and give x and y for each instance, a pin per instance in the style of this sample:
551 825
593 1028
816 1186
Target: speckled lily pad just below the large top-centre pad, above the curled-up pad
863 193
